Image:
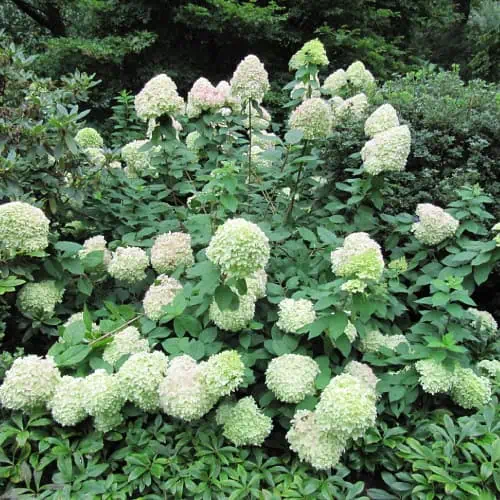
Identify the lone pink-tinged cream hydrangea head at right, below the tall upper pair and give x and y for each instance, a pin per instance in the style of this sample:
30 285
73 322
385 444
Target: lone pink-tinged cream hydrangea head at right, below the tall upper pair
434 224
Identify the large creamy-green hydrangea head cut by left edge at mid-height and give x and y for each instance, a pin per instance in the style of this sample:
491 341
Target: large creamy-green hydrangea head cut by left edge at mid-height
23 229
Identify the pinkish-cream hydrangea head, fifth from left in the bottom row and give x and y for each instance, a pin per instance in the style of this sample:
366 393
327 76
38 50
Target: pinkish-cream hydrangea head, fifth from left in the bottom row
183 393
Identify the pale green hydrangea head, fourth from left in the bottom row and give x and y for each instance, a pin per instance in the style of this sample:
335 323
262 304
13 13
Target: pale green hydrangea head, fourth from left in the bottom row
140 377
